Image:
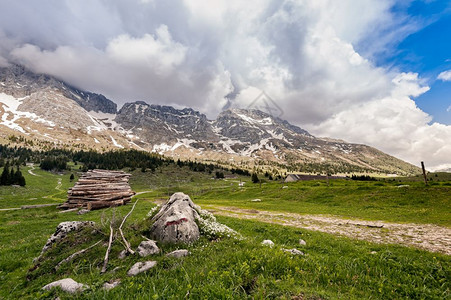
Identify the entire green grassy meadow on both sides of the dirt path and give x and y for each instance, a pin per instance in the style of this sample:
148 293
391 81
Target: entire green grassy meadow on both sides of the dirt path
333 267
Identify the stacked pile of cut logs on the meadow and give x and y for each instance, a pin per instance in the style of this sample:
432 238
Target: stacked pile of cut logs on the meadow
98 189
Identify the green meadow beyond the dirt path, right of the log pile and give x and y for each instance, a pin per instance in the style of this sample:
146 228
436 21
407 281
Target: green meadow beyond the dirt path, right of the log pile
395 201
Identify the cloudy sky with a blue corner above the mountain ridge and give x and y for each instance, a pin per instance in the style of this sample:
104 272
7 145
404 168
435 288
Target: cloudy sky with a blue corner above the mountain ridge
376 72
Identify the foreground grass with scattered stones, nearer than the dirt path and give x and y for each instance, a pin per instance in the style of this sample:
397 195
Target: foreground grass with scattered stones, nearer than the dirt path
228 269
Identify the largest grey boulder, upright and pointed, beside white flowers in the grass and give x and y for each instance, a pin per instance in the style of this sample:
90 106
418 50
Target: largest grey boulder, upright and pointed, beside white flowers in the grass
175 222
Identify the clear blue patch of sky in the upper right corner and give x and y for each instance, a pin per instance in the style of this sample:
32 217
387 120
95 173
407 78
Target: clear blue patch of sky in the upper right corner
428 53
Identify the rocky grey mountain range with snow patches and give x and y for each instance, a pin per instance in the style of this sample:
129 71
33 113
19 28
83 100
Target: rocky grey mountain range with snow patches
41 111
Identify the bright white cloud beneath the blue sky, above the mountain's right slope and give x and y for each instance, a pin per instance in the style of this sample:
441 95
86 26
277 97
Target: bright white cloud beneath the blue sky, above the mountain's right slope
394 124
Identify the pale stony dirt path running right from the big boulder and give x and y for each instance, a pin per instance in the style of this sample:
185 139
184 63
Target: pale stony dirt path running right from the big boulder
424 236
